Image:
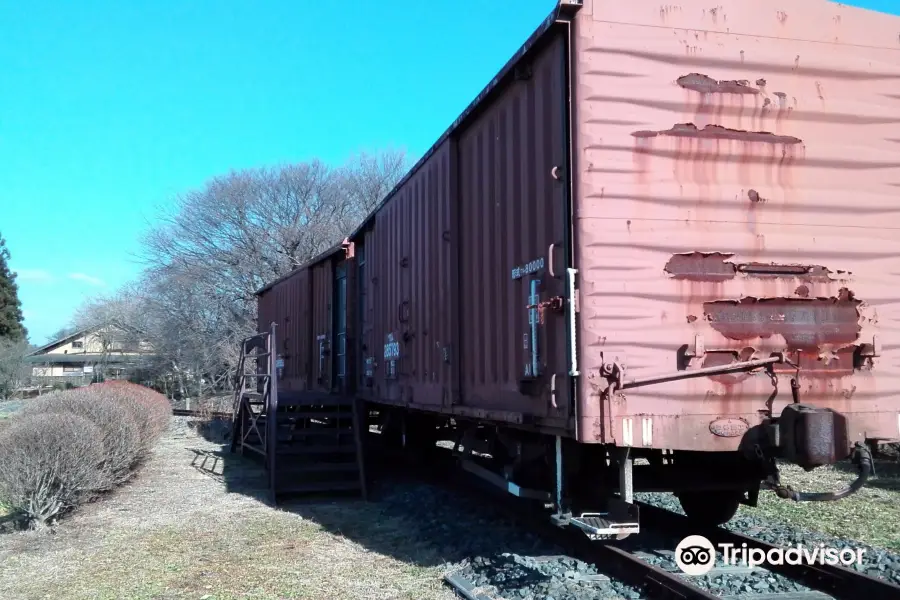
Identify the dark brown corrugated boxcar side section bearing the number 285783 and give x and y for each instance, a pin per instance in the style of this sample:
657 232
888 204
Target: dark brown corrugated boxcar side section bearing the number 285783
409 257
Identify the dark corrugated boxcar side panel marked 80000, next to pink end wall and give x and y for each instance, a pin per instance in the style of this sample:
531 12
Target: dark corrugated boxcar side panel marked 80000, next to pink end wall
511 211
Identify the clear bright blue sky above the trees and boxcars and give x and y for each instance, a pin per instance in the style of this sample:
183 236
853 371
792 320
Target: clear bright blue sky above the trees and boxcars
108 109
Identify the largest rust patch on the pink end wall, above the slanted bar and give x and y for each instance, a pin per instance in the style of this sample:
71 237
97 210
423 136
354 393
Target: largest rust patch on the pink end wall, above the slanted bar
803 323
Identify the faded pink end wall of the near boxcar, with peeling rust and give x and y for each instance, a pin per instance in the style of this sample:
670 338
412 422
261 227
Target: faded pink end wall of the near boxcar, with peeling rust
738 171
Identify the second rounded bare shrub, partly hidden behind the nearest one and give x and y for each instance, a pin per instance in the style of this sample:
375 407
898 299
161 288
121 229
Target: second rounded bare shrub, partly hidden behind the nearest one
120 433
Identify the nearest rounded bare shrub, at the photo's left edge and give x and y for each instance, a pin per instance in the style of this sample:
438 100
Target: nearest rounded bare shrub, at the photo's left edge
50 464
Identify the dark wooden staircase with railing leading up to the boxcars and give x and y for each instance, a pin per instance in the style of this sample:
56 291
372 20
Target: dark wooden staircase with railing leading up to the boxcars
314 443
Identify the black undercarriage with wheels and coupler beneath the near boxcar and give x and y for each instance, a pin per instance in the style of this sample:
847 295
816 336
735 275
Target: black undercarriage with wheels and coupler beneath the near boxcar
592 486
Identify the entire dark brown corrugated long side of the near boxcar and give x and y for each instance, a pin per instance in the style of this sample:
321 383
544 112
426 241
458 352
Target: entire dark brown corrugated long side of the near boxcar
426 340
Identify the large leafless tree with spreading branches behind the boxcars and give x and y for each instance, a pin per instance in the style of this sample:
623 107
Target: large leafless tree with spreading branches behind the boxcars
214 247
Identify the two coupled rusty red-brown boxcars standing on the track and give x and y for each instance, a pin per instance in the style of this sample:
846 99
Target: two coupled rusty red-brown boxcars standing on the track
665 233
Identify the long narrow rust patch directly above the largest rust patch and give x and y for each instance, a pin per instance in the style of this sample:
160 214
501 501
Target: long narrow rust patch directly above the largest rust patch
715 267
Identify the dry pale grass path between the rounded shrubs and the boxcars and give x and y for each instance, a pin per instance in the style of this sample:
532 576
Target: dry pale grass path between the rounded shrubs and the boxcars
189 528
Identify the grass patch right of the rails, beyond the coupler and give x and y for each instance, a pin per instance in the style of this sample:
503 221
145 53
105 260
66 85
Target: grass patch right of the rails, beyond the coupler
872 515
